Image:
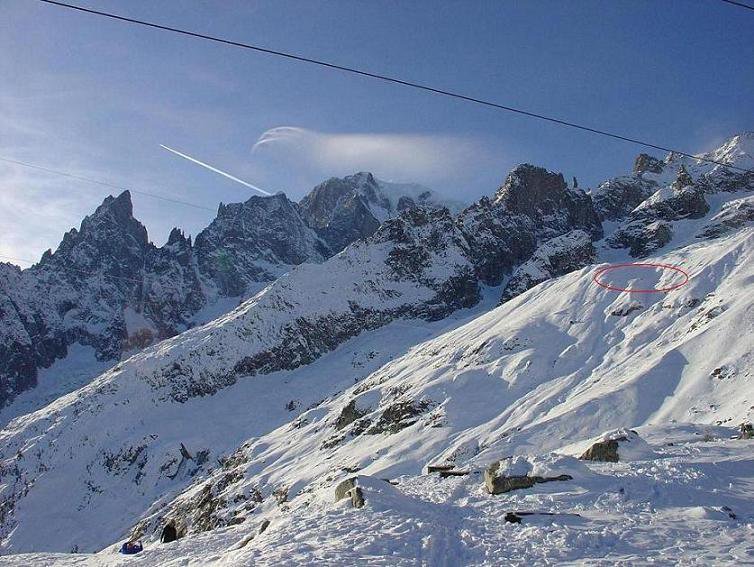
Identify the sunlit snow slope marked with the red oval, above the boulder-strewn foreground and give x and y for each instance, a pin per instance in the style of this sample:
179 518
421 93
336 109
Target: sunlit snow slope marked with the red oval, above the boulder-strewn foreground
561 363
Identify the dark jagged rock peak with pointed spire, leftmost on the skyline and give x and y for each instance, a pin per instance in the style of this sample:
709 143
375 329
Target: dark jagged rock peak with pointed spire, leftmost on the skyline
76 294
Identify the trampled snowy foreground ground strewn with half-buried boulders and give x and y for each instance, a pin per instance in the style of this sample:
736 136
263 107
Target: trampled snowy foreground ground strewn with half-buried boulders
690 504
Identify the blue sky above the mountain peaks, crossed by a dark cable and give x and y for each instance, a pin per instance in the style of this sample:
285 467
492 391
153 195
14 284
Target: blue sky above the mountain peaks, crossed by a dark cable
97 98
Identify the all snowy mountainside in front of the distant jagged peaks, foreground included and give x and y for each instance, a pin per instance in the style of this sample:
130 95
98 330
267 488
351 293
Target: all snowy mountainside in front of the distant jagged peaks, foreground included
386 358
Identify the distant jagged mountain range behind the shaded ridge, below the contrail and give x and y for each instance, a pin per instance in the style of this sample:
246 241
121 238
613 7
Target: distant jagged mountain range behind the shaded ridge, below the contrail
108 288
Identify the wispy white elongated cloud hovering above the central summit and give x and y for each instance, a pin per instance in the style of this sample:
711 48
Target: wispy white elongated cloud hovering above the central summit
405 157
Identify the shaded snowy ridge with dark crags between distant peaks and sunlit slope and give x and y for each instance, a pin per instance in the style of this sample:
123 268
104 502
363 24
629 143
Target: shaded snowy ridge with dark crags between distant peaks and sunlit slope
114 447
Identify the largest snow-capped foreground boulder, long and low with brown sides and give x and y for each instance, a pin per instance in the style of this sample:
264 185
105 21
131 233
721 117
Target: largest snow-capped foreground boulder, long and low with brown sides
525 471
